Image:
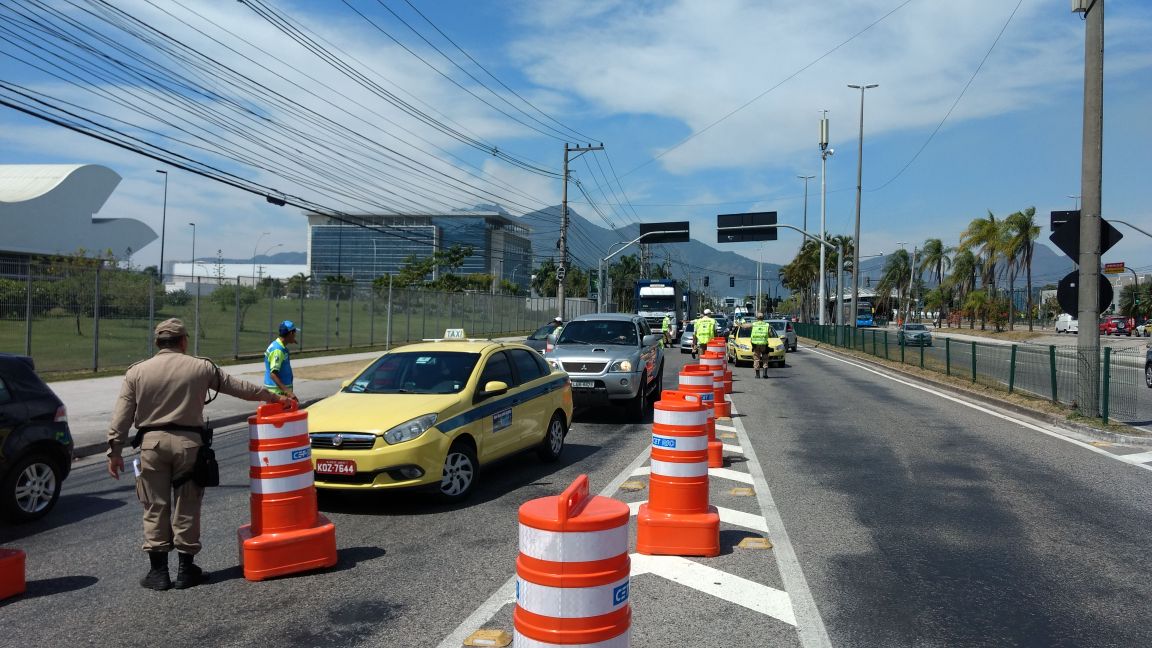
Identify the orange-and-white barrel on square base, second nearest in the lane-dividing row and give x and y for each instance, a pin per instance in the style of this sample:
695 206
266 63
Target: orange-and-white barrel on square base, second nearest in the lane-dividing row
678 519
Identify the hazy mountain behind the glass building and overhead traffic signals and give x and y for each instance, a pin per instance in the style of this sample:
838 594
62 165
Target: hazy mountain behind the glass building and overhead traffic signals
588 244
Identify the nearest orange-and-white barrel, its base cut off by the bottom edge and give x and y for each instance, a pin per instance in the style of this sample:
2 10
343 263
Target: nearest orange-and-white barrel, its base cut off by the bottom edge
573 572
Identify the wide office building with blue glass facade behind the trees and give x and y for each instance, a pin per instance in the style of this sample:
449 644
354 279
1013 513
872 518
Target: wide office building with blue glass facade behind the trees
367 247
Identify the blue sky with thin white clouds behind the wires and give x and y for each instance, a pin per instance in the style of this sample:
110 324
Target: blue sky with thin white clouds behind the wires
704 108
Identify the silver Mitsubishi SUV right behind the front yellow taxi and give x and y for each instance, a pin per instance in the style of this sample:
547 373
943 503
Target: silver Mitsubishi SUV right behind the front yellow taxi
611 358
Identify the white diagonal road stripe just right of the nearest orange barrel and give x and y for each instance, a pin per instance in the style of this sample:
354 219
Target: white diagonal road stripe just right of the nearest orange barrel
729 587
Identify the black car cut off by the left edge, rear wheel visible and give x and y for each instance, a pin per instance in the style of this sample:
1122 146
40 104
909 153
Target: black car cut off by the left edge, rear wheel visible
36 444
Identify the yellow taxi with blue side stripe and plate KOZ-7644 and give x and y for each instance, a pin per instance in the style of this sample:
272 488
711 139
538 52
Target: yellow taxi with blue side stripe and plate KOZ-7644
431 415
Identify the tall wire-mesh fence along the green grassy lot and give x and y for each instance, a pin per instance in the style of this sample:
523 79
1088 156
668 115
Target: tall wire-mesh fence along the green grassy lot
92 317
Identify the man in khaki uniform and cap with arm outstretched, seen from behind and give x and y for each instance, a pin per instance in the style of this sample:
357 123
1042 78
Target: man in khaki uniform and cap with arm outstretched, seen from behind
164 397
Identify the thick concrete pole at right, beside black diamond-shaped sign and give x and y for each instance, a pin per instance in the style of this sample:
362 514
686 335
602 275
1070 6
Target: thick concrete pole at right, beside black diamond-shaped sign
1088 340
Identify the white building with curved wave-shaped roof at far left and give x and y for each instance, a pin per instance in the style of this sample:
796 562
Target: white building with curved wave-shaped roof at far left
48 209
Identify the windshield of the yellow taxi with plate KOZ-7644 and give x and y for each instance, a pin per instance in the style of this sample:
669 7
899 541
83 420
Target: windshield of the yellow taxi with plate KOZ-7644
430 372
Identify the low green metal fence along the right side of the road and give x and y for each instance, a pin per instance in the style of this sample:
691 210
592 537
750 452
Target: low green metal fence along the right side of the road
1049 372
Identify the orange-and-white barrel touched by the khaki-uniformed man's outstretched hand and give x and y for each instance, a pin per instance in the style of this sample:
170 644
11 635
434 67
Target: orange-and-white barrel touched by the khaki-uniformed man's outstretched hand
287 534
